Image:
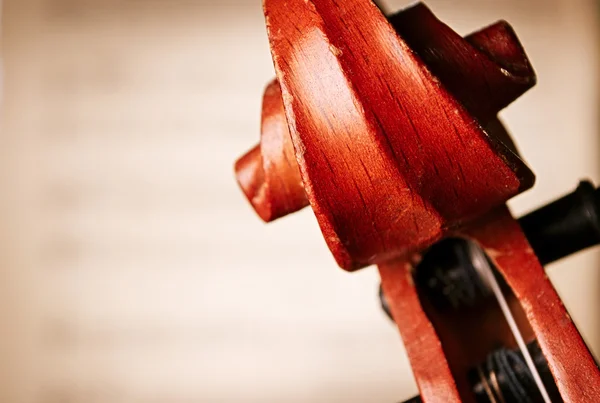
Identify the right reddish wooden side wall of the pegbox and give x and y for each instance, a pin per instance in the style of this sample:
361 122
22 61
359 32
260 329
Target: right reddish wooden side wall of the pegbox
573 367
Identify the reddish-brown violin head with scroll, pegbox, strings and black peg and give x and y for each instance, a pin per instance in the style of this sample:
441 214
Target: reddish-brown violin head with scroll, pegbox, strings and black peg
387 127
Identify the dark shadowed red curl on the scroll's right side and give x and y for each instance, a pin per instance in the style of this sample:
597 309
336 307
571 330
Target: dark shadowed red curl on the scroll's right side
486 71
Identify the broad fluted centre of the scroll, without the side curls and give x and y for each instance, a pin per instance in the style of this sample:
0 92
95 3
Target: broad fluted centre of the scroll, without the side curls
389 157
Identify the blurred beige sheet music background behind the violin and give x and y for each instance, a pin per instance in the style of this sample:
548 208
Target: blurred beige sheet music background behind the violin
132 269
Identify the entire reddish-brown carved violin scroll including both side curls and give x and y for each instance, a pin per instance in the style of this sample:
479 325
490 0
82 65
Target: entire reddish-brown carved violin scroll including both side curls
387 128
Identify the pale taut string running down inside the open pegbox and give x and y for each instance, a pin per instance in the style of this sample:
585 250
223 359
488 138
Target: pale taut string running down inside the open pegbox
481 263
